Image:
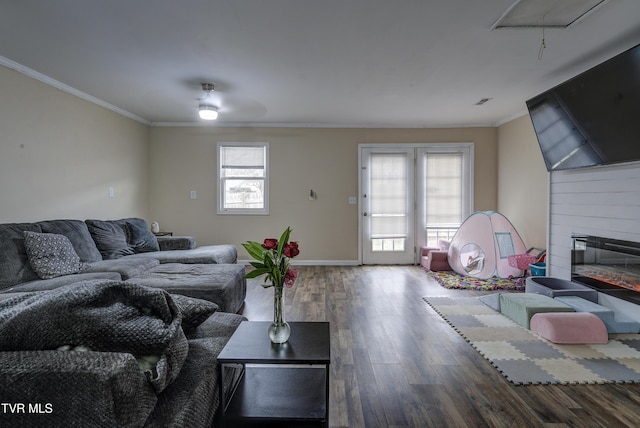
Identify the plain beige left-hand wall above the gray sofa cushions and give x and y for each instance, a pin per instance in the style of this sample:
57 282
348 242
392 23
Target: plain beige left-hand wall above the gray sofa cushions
60 154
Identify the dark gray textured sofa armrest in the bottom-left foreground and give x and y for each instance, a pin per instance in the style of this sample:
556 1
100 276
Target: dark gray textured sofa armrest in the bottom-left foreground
69 388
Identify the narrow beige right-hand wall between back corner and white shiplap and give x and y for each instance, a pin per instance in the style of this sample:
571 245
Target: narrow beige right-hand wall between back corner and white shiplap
523 181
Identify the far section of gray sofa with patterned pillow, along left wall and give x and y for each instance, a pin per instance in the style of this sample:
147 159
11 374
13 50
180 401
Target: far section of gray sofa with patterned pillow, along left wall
34 257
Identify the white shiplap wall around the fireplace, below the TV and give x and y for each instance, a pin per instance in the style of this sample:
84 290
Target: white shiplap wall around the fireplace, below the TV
598 201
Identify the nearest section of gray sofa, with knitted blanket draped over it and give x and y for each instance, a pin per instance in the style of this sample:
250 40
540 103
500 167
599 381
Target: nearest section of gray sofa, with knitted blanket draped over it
111 354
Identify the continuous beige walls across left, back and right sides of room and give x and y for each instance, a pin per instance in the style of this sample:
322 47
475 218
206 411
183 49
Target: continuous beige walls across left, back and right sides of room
60 154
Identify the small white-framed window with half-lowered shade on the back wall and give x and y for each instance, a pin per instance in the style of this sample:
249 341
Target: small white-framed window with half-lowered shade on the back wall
243 179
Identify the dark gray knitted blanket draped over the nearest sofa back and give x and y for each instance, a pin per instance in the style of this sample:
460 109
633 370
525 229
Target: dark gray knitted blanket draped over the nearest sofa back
108 316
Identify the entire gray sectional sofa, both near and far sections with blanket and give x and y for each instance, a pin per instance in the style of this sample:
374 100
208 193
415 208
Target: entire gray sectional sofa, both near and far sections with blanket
102 324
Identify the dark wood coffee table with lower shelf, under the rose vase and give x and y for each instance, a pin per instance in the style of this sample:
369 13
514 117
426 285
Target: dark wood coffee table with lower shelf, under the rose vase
268 383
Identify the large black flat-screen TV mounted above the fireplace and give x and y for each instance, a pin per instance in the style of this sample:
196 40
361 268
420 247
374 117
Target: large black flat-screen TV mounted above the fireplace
592 119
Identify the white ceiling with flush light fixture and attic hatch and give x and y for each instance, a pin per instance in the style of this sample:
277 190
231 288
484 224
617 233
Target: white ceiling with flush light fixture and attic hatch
370 63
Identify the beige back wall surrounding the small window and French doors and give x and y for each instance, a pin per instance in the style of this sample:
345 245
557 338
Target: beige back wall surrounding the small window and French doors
325 160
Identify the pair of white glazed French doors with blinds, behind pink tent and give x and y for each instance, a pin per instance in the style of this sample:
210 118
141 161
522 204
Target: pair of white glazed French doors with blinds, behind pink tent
405 191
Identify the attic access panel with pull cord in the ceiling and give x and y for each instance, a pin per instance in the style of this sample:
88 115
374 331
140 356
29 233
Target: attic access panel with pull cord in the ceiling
546 13
